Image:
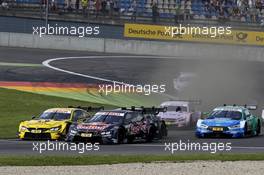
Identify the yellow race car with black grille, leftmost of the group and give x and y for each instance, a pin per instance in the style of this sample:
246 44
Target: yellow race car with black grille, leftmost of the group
52 124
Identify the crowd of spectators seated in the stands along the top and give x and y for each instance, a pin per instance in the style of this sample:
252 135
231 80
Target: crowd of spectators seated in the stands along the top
236 10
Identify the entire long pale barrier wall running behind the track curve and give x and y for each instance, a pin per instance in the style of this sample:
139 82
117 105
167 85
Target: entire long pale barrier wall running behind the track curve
176 49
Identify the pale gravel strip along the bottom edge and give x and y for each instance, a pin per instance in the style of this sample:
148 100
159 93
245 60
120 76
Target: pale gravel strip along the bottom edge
180 168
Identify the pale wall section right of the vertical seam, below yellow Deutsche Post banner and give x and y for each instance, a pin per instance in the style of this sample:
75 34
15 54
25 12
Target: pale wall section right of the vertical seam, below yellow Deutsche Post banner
185 50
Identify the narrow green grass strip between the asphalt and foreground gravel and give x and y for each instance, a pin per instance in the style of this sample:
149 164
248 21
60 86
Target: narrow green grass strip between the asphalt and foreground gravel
114 159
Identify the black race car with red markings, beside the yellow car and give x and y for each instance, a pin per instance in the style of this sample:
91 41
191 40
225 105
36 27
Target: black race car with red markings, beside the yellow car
123 125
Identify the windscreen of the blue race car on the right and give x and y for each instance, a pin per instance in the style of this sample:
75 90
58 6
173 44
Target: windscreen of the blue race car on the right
234 115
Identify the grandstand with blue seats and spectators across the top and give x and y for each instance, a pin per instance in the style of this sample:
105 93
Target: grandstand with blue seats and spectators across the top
243 11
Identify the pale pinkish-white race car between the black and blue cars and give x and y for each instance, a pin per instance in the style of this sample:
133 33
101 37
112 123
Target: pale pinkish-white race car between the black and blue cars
180 113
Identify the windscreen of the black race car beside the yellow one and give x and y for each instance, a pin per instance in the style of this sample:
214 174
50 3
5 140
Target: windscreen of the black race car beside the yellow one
107 118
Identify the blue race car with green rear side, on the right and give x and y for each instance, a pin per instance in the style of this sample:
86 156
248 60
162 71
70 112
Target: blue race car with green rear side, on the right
231 121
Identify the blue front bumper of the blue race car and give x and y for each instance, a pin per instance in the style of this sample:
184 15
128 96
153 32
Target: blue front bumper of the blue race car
234 133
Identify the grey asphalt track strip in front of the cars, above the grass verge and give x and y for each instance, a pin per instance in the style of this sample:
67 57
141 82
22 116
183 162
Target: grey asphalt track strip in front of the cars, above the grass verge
175 136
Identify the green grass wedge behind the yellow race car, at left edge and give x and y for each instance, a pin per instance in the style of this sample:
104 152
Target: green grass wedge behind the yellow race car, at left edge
16 106
